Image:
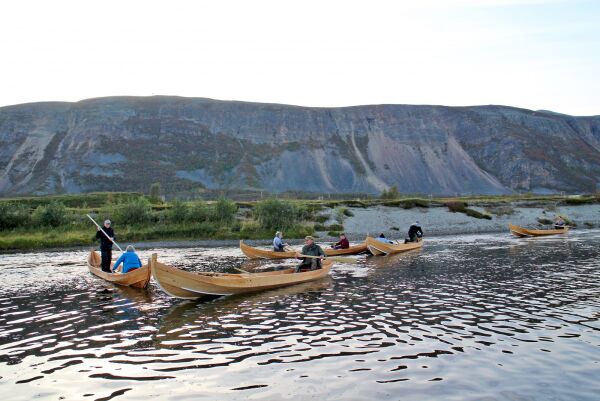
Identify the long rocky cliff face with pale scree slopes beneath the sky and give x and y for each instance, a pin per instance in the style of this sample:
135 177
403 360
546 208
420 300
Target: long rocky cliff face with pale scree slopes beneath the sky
126 143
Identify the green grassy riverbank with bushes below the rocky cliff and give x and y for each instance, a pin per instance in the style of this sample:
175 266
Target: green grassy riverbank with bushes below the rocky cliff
59 221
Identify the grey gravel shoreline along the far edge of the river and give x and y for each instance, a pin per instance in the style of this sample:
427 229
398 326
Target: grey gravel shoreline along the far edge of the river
391 218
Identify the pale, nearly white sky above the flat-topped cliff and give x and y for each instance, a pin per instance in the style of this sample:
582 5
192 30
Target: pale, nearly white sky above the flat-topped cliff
532 54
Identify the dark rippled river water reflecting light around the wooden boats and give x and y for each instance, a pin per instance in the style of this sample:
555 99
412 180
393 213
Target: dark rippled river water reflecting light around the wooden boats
483 317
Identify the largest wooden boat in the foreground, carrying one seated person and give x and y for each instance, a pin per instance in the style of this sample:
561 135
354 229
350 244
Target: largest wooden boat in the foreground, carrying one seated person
189 285
